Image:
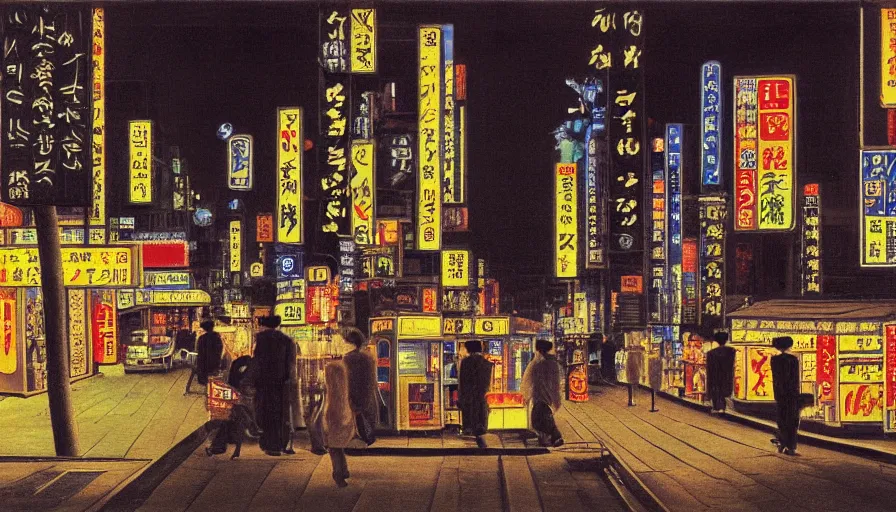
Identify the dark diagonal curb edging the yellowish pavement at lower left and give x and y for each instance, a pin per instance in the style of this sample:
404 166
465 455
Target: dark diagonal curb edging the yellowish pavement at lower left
135 491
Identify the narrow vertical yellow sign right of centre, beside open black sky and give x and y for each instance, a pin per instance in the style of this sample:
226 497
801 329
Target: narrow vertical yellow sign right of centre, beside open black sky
566 255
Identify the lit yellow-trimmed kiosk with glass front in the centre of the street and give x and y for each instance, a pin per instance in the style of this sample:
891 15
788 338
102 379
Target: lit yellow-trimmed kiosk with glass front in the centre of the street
418 363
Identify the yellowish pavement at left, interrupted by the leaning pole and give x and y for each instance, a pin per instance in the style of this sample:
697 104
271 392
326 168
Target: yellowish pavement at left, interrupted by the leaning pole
136 416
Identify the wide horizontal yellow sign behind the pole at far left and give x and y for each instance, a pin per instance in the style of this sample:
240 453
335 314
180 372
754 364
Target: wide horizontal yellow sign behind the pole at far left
91 267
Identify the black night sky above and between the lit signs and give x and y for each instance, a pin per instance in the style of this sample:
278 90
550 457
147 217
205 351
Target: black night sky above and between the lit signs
238 62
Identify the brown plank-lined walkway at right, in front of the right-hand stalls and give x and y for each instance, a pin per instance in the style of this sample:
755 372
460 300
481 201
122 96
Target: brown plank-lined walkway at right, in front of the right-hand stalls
694 461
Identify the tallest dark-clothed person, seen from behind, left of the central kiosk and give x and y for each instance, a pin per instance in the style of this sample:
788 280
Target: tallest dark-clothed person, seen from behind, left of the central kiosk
275 355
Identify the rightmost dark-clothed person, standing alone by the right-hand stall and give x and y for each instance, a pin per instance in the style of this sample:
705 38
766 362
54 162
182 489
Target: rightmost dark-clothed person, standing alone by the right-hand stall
786 384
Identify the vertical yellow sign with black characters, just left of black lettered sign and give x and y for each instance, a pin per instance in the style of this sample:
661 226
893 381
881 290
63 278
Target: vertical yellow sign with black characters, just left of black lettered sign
290 143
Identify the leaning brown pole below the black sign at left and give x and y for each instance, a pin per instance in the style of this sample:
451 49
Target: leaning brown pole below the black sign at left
62 417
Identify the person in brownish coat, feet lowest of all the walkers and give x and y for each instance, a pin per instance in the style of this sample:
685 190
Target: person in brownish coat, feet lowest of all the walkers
338 419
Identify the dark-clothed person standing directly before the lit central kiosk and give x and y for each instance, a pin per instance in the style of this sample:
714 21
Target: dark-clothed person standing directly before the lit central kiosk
475 381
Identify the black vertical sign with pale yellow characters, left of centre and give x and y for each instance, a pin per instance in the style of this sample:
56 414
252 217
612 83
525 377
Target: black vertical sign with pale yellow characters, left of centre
334 149
